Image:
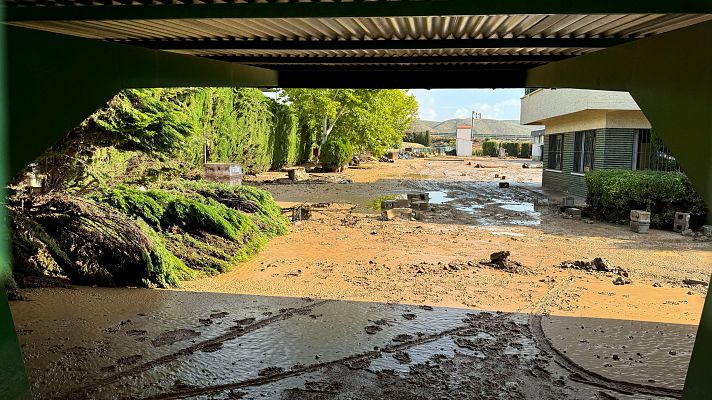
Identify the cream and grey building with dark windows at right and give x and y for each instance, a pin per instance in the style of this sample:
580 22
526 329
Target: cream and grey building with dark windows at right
585 130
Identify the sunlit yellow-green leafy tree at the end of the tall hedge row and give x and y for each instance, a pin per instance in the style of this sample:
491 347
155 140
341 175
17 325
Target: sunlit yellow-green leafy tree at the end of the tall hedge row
371 120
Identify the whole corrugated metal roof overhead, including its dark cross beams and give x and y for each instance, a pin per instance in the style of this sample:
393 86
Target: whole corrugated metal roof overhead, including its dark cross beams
447 39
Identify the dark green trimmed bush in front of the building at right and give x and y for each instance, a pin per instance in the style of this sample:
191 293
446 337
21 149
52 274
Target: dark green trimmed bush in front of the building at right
613 193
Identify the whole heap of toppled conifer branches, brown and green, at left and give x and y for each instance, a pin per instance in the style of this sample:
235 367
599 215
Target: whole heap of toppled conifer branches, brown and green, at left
125 236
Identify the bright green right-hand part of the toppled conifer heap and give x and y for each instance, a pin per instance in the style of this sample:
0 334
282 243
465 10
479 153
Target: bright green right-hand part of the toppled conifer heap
209 226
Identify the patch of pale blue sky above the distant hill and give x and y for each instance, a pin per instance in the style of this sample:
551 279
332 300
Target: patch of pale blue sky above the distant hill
444 104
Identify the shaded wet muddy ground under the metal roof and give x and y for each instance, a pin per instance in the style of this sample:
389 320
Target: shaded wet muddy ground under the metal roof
173 344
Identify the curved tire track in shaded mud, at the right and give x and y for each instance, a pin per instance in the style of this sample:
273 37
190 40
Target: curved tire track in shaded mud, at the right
582 375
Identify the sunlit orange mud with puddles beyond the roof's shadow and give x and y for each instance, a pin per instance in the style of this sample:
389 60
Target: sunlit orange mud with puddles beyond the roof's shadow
346 252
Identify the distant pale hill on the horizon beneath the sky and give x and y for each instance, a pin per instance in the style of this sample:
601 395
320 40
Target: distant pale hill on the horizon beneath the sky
482 127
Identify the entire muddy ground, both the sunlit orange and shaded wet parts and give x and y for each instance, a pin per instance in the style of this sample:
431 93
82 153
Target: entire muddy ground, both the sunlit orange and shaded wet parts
347 306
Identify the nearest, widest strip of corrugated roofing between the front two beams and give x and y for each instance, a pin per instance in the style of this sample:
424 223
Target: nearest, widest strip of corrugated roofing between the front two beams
393 28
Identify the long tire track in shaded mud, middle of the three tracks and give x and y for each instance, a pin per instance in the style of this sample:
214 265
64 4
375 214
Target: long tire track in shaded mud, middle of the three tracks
296 371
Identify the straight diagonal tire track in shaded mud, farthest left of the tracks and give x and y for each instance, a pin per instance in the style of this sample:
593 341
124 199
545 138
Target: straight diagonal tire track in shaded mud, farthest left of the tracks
233 332
